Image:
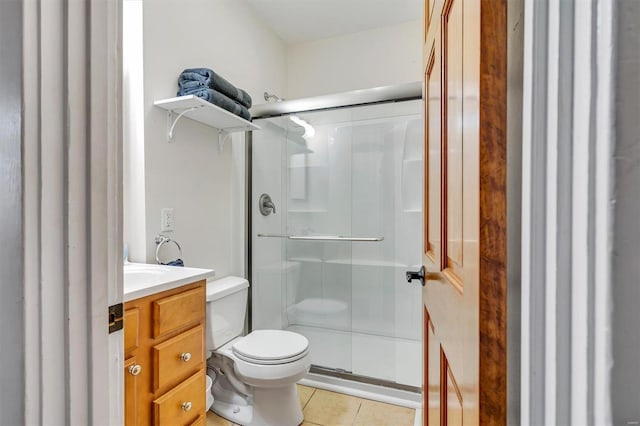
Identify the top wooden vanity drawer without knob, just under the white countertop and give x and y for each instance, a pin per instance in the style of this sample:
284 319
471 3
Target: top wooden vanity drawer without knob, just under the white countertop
177 311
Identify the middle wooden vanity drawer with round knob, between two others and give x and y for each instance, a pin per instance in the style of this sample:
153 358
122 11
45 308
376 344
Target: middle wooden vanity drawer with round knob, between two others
178 357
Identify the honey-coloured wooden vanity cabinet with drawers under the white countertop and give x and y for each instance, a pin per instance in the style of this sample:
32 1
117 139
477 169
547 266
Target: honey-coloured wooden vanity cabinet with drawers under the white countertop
165 363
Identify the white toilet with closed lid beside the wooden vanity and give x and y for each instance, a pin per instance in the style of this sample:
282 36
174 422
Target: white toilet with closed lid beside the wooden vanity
253 376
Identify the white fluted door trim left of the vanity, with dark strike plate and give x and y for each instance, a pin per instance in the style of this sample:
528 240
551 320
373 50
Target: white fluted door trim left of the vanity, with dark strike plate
72 139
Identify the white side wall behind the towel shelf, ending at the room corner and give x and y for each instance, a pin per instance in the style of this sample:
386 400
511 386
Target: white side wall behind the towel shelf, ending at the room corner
189 175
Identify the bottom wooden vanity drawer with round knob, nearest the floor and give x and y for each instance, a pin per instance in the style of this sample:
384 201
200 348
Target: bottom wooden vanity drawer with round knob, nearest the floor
182 405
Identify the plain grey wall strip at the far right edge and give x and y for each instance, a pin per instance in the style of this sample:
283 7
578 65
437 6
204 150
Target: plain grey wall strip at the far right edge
625 374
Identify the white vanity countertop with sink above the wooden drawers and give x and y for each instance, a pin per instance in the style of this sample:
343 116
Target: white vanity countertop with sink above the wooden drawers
141 279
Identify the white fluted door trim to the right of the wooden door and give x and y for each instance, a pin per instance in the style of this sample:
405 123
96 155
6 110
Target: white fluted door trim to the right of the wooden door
566 211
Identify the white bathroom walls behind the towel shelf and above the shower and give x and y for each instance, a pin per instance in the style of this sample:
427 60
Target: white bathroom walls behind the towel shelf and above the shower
206 188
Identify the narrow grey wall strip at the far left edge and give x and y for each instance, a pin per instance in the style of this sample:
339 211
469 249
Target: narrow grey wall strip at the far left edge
12 370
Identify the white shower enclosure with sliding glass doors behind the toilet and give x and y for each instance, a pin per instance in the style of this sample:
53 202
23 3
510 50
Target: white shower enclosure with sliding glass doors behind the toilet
330 249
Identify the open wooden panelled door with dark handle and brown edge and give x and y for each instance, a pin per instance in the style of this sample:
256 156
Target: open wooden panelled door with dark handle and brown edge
465 212
